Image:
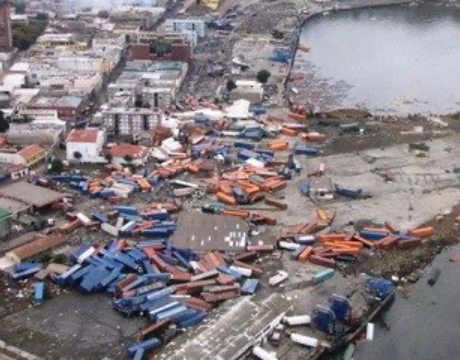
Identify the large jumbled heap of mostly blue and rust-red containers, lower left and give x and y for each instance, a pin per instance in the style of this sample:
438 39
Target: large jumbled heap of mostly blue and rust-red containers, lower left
153 279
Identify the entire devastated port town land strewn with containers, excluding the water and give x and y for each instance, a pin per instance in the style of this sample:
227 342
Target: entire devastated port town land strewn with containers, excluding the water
199 205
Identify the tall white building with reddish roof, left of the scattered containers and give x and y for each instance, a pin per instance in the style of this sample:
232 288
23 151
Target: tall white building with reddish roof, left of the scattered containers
86 145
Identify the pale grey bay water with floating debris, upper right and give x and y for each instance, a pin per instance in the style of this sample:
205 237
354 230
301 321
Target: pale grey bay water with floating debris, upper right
398 59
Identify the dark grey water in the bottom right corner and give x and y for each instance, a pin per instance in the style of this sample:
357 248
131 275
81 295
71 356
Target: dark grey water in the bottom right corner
424 326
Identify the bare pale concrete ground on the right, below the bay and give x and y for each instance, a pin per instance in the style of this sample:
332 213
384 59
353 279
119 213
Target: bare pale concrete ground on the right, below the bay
422 187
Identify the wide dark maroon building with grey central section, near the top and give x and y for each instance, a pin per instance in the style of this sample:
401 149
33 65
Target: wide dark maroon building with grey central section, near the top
161 46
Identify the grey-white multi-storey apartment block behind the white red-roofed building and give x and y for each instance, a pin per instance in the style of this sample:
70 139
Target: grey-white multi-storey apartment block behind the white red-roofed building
130 121
